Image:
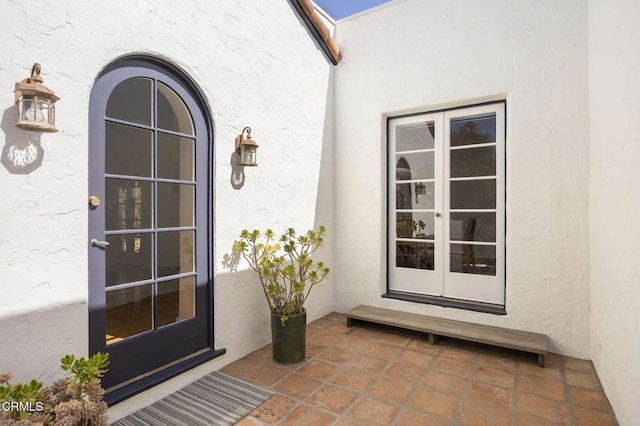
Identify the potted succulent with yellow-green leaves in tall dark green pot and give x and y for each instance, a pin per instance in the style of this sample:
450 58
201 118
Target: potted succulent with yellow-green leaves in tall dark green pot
287 274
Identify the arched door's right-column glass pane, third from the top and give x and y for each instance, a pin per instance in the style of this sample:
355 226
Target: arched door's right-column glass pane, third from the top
175 205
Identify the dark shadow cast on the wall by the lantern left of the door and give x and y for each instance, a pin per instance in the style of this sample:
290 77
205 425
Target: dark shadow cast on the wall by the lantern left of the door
22 152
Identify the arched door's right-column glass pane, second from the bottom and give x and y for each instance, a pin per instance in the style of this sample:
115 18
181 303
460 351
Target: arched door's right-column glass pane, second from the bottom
175 252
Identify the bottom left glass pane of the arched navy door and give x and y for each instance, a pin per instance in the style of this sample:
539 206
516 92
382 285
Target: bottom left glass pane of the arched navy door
128 312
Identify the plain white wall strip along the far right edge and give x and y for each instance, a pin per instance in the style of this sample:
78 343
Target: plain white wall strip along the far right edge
614 65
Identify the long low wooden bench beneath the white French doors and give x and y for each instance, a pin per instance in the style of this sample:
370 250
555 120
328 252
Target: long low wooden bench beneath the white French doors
503 337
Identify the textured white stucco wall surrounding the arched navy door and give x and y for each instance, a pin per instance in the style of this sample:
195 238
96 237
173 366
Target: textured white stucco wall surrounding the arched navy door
256 66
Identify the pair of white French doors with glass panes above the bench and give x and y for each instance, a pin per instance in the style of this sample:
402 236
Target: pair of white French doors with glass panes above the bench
446 204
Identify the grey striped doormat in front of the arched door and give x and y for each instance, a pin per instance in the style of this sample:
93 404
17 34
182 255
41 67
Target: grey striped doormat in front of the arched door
214 400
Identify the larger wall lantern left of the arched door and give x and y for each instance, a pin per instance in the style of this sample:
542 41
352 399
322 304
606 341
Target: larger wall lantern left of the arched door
36 104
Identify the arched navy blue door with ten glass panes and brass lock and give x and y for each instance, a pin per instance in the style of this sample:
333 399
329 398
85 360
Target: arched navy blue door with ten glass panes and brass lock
149 238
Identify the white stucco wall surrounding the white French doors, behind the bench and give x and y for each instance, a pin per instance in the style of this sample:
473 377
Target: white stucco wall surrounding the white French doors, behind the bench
412 55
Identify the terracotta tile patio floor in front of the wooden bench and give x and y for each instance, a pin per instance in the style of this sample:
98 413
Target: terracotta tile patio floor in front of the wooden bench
369 374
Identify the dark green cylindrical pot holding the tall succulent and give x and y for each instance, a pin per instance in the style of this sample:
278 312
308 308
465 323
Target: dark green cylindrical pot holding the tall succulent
289 338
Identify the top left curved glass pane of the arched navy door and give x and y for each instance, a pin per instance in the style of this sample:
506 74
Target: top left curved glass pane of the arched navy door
131 101
